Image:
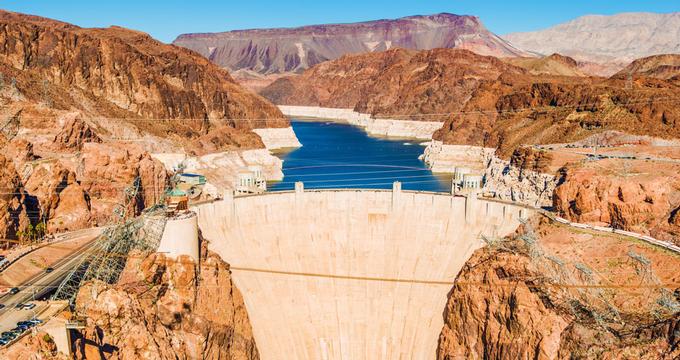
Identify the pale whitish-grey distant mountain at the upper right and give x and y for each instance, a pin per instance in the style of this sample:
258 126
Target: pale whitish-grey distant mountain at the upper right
612 40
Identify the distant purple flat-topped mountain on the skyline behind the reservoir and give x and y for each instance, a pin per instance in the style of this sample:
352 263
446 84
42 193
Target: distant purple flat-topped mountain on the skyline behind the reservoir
294 50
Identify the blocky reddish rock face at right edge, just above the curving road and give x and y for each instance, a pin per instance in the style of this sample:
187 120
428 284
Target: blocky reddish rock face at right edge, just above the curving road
637 201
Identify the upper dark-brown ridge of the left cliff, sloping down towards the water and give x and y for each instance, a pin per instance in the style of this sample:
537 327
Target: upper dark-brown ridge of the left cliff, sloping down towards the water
120 72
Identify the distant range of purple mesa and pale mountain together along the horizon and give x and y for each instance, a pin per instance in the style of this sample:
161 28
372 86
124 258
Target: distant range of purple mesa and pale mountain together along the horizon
601 45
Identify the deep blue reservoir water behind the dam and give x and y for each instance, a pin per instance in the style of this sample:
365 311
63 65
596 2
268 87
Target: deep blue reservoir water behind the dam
338 155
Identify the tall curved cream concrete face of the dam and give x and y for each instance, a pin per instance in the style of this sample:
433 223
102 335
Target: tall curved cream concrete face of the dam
349 274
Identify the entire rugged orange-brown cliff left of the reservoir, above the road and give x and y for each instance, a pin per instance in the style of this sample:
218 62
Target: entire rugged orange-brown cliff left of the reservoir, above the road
80 110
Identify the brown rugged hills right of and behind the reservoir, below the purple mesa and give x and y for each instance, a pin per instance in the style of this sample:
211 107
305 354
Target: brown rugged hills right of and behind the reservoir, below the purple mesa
482 100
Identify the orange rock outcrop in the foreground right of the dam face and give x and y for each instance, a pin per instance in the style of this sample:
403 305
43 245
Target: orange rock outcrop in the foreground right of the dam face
510 302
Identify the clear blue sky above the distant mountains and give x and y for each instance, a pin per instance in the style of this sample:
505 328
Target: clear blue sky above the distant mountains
165 20
